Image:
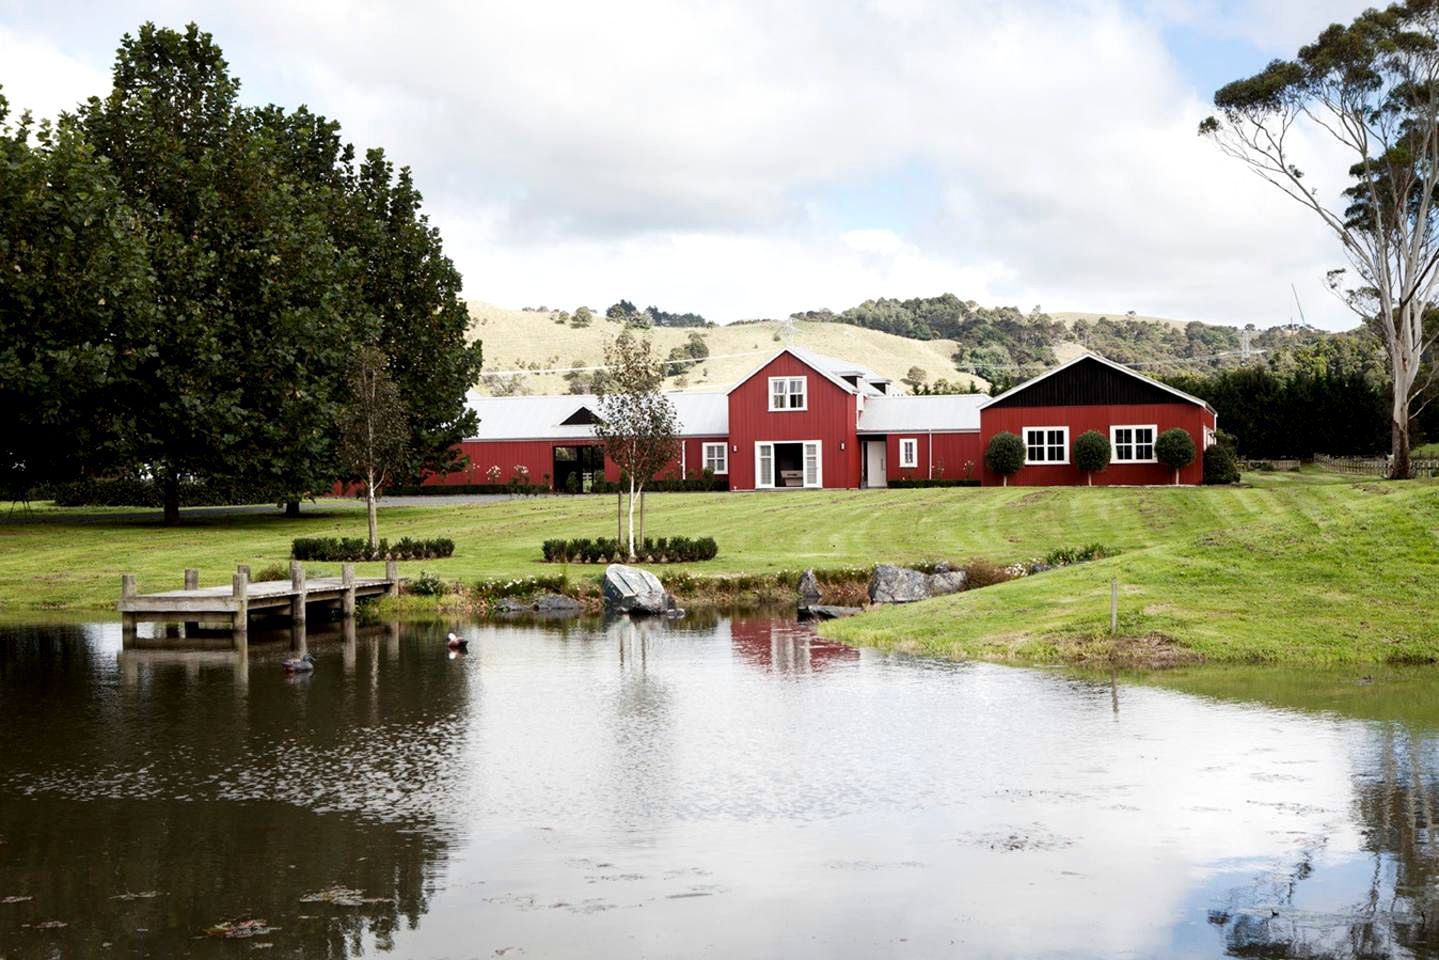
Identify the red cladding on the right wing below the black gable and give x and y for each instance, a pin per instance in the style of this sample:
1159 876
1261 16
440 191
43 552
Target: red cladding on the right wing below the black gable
1080 420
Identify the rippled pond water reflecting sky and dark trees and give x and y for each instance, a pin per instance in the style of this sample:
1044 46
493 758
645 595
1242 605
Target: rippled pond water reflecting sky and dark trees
723 788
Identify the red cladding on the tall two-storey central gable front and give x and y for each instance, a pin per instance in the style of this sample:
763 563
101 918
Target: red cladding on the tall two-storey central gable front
830 418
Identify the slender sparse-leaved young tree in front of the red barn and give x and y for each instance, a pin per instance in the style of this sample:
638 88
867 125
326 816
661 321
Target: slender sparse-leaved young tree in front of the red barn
638 424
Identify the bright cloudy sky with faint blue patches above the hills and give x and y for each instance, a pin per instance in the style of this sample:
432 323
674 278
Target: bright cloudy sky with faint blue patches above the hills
748 159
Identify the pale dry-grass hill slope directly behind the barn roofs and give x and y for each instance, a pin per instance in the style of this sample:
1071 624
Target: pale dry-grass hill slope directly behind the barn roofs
533 342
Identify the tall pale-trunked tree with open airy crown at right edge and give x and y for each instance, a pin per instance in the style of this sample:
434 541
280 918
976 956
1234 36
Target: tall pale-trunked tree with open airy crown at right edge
1374 89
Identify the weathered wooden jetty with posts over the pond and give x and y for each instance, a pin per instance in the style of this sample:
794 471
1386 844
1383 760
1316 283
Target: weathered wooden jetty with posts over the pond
232 605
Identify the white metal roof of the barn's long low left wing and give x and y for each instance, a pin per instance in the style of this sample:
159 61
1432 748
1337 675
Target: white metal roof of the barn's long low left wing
542 418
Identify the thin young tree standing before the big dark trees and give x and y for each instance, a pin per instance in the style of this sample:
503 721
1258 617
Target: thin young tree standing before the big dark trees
375 430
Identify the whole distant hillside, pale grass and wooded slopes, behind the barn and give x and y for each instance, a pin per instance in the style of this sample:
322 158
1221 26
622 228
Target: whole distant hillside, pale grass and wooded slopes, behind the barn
945 338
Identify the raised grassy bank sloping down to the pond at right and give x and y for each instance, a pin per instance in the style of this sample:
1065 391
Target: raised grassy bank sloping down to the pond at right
1312 571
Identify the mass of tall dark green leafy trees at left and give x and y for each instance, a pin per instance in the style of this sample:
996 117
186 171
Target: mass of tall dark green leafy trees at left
242 261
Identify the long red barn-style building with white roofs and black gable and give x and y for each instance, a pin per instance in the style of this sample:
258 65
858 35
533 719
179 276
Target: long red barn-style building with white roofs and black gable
807 421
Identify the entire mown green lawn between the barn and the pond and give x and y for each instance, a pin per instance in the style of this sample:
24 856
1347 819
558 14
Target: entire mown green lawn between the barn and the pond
1300 566
